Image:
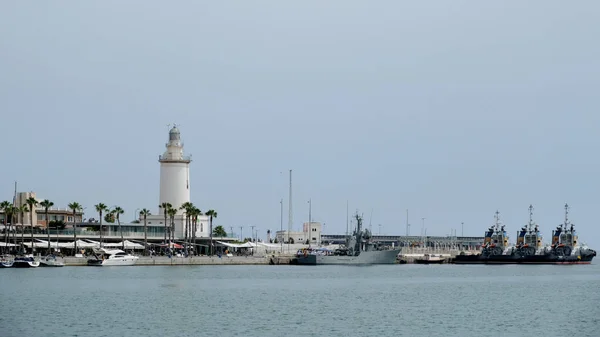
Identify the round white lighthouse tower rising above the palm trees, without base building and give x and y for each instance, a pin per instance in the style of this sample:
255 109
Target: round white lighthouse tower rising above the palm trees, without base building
174 173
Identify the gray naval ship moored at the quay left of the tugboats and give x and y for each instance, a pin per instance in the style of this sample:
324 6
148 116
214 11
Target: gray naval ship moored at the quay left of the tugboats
358 250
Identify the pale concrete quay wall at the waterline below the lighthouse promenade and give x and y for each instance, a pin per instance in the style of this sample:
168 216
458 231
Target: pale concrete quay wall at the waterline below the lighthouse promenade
194 261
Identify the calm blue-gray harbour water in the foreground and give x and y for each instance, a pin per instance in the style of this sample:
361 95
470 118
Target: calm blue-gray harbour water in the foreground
396 300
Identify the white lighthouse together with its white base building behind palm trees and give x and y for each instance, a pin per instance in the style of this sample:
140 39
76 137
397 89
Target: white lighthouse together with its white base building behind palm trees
175 186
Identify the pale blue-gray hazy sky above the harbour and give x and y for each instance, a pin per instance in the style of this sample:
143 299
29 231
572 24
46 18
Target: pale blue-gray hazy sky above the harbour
450 109
